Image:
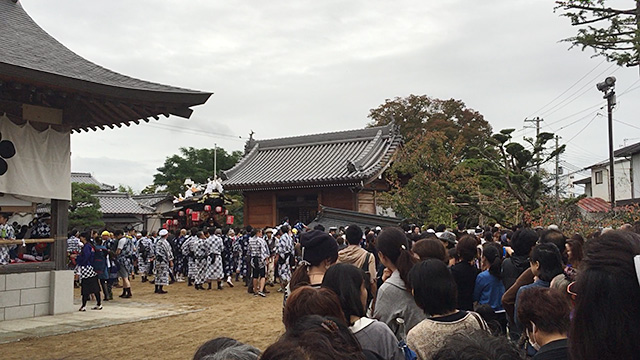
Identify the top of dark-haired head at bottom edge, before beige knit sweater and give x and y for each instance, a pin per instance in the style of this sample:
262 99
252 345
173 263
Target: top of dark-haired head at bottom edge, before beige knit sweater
478 344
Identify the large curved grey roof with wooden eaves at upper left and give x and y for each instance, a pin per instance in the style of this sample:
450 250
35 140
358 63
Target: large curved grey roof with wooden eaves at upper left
39 70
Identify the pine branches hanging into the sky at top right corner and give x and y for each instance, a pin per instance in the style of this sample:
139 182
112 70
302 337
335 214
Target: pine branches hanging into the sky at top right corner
612 33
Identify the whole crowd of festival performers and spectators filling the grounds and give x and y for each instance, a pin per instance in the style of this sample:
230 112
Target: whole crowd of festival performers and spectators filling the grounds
413 293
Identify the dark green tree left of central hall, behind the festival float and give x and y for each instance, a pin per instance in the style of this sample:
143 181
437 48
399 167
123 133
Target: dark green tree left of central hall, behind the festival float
196 164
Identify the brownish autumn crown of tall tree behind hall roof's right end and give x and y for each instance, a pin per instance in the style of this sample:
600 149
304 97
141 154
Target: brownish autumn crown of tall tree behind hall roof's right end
418 114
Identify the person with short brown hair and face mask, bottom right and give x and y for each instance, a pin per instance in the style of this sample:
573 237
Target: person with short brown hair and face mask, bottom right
544 314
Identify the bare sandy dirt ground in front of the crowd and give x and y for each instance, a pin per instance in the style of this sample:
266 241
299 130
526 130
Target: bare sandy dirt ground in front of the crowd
229 312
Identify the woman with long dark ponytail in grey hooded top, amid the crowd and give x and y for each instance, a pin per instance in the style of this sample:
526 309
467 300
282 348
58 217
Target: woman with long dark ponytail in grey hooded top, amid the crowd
394 300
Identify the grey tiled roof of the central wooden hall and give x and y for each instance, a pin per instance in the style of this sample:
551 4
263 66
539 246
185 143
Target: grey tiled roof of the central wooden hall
338 158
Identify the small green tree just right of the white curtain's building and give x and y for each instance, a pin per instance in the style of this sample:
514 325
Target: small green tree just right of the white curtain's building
84 209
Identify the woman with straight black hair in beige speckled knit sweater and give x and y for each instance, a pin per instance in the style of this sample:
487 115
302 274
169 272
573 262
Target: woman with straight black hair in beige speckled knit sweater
434 291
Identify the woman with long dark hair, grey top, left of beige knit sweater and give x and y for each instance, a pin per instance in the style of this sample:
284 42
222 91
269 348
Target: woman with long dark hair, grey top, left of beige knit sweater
348 282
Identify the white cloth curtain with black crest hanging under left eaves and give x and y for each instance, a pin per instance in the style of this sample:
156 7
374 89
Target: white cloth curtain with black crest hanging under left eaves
41 165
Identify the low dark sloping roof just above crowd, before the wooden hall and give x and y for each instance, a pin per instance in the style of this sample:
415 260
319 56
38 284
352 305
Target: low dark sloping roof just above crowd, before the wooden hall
329 217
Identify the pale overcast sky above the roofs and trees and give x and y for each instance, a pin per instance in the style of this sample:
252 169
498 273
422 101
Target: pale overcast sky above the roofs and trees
285 68
